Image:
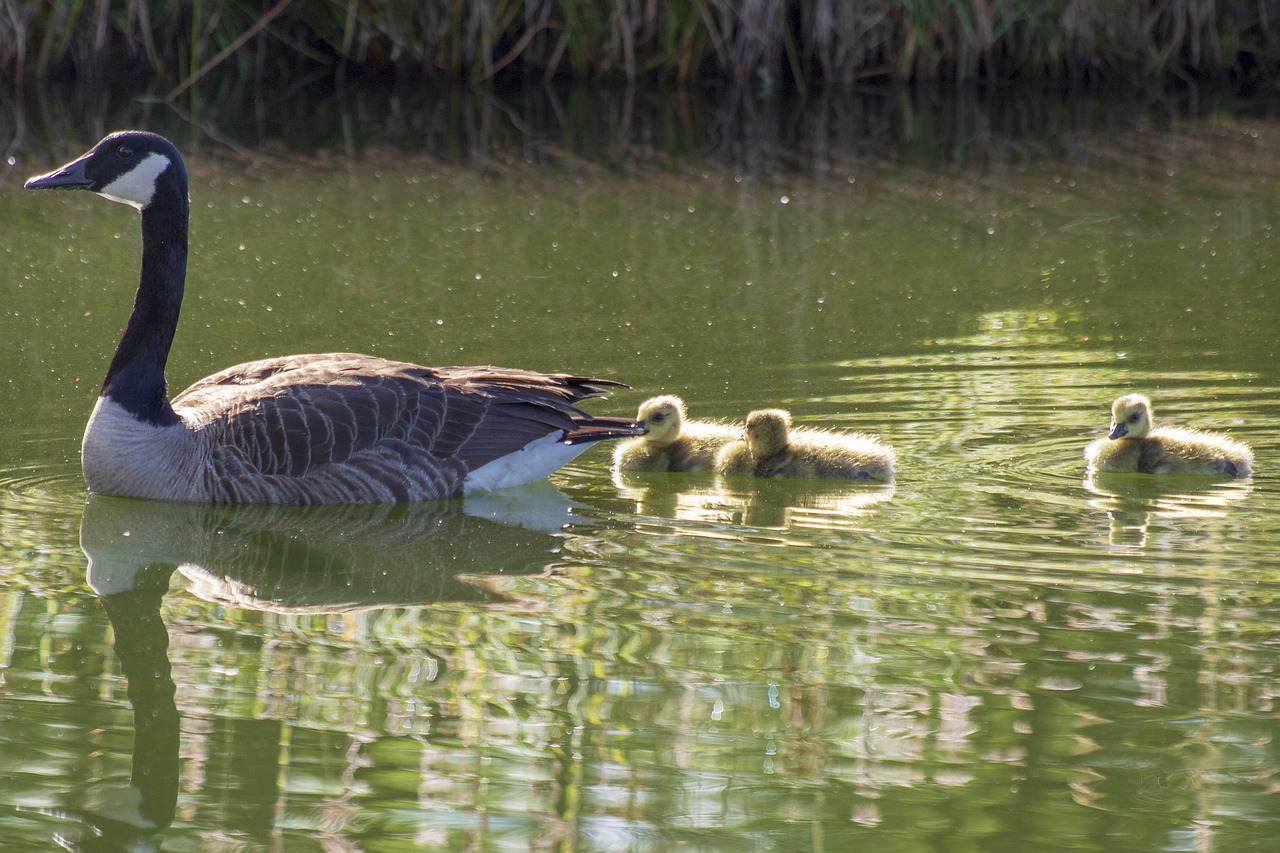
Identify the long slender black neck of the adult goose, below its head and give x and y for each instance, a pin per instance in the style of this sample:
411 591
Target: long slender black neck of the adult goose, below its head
136 377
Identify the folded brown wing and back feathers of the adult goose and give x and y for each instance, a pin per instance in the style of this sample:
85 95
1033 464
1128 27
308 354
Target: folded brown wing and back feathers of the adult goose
308 428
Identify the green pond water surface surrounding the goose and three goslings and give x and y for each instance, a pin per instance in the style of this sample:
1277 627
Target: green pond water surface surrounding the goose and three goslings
994 654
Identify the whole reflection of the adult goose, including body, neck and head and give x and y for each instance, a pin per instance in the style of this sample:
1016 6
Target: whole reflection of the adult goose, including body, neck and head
278 559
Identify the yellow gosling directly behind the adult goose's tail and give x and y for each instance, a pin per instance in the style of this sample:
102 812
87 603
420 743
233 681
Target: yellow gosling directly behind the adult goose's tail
674 443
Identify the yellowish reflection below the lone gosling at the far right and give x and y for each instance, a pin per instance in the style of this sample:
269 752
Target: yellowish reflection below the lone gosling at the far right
1132 503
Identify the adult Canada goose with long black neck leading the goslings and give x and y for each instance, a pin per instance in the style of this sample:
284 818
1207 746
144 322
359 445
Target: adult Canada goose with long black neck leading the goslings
335 428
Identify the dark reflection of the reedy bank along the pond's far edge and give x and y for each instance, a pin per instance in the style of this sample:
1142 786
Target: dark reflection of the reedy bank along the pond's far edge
824 133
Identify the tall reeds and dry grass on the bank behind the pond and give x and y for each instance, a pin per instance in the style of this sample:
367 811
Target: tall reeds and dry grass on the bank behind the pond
746 42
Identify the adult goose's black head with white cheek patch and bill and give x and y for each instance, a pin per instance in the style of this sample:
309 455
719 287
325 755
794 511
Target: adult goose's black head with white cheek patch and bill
129 167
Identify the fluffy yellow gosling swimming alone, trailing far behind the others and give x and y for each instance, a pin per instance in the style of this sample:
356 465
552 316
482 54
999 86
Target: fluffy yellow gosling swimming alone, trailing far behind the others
1135 446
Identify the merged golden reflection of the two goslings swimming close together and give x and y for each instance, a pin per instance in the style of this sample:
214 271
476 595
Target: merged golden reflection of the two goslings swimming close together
757 504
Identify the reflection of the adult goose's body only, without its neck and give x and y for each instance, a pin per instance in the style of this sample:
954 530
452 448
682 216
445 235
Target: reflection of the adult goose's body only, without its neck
290 559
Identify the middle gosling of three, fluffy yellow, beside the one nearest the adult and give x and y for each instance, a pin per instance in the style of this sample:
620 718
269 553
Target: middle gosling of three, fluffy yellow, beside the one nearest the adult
774 449
